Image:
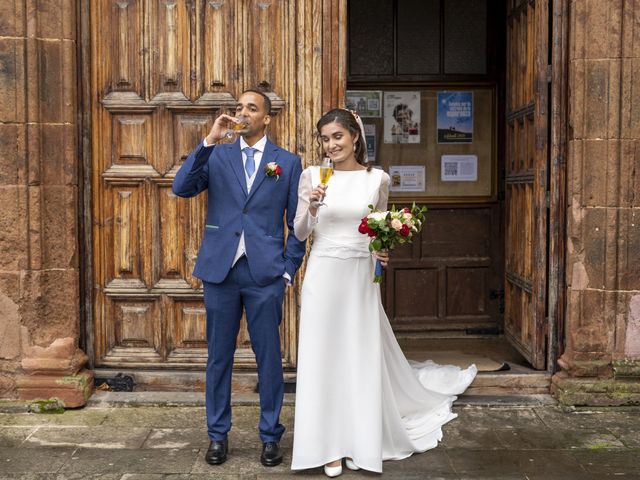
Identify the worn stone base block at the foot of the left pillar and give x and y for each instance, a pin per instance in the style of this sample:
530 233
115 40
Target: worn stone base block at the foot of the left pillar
72 390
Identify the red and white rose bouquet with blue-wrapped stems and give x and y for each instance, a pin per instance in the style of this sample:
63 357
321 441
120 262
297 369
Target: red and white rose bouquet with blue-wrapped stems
390 228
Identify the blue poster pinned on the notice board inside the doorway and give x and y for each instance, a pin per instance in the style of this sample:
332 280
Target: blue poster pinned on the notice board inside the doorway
455 117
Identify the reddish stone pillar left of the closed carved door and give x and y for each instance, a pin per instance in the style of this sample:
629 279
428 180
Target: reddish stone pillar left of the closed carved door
39 274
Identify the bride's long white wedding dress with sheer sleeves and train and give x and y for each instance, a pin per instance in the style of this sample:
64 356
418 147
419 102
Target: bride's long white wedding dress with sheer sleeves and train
357 395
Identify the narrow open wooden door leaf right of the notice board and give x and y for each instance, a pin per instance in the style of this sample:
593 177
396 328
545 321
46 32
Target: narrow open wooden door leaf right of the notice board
527 161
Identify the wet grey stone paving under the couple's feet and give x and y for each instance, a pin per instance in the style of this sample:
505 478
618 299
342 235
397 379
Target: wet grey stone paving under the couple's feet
169 442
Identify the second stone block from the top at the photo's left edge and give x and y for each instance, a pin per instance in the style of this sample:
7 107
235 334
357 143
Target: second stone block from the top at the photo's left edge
12 81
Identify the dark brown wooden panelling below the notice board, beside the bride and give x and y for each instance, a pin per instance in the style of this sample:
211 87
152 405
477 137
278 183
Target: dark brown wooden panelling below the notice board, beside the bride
444 280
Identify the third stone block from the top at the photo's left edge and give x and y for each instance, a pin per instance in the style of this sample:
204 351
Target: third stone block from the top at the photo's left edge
13 157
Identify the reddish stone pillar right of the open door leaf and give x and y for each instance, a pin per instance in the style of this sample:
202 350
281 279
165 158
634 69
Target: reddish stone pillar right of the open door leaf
603 216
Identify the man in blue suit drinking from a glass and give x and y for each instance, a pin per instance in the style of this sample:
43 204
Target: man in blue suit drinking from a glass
243 260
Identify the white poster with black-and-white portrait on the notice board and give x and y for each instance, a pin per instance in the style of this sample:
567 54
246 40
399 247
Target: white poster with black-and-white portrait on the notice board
401 117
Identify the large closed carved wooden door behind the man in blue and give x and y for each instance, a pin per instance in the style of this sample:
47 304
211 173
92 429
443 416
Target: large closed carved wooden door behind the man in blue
162 70
